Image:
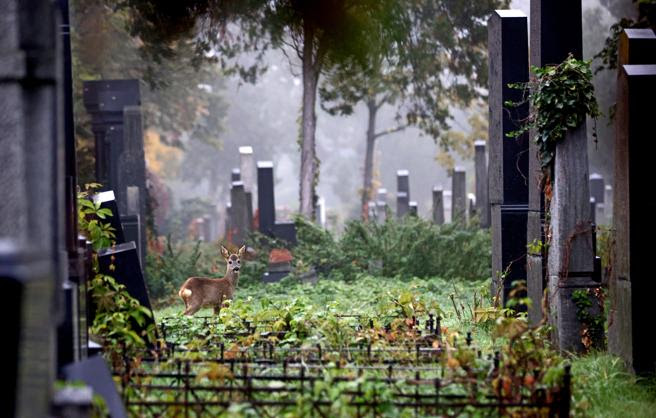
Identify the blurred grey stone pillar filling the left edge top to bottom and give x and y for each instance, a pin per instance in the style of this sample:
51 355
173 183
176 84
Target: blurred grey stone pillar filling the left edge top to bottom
32 245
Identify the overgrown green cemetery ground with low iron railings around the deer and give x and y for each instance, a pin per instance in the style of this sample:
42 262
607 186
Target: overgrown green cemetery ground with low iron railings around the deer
358 317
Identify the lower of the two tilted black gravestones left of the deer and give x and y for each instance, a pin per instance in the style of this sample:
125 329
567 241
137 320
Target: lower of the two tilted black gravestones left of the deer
122 263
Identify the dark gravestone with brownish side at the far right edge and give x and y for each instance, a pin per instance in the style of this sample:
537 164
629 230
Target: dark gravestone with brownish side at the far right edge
631 285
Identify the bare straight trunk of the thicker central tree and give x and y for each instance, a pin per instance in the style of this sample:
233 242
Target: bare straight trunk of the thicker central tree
308 145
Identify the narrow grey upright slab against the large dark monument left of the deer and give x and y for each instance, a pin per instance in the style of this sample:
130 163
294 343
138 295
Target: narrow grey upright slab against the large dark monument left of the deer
132 175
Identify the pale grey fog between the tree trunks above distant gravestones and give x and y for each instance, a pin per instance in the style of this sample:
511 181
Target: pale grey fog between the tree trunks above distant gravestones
265 115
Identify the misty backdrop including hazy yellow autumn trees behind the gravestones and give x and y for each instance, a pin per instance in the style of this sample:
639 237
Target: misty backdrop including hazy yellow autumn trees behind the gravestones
196 163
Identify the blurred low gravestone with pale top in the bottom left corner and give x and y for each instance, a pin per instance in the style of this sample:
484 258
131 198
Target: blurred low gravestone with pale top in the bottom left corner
27 283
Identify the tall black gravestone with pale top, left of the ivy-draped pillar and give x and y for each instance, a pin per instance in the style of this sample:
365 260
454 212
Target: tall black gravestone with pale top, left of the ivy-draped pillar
508 159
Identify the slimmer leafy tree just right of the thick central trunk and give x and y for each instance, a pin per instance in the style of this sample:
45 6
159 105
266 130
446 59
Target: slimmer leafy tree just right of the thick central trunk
435 60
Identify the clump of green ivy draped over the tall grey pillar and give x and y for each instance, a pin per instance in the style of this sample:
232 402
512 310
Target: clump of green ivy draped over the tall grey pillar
561 97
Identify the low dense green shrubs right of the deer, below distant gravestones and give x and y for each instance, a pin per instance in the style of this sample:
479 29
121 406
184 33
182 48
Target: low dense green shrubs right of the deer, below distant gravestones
410 247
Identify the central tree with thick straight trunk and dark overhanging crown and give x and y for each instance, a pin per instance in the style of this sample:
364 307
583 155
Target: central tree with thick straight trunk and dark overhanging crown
321 33
